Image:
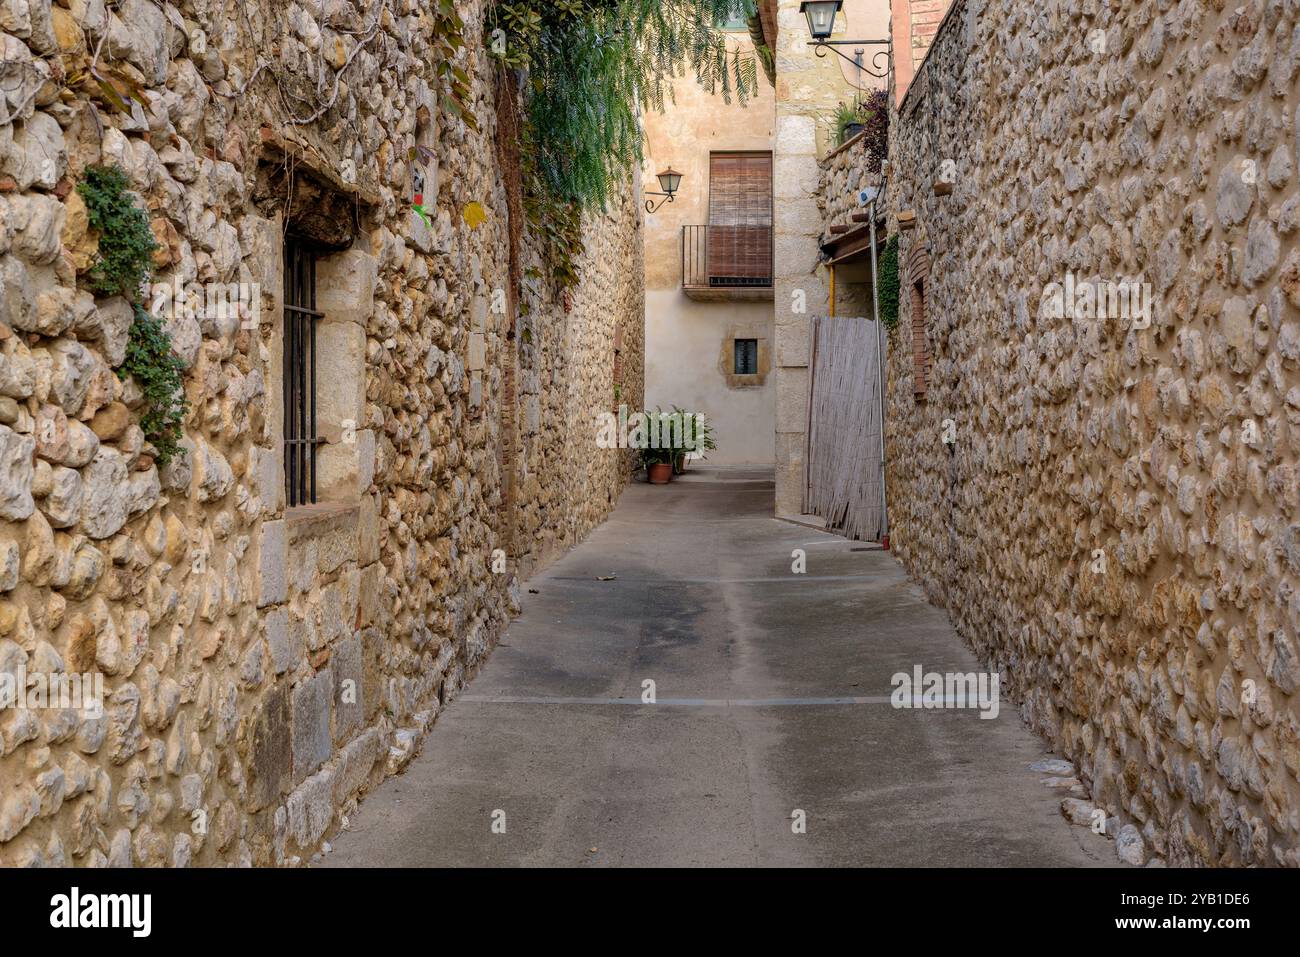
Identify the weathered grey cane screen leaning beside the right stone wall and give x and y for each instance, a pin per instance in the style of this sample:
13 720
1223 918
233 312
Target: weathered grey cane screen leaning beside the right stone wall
843 479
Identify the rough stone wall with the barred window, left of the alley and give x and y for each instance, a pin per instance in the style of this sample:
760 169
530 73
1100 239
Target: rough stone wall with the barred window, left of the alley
265 666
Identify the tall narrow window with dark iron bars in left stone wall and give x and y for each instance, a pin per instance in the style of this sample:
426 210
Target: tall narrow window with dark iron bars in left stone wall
301 318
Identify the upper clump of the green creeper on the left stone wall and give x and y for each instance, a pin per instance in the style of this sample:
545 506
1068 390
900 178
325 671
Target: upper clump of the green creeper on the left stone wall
125 240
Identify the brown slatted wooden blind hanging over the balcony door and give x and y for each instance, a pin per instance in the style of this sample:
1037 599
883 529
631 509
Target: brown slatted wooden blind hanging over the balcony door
740 219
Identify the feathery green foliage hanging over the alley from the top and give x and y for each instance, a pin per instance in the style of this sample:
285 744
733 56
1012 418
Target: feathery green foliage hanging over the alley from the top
593 64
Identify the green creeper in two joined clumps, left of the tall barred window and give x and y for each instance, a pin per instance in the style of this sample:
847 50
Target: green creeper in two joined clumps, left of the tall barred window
124 266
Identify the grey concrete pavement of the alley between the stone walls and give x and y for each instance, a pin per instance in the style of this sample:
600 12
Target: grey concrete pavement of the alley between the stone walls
773 699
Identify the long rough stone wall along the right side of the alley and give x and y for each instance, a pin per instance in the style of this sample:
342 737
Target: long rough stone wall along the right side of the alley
1163 148
